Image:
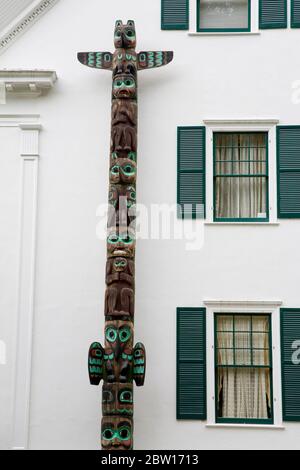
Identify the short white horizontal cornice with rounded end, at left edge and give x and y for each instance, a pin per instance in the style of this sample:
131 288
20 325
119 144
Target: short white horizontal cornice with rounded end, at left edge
26 83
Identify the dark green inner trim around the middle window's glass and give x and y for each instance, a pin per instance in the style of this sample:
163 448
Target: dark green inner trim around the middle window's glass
241 219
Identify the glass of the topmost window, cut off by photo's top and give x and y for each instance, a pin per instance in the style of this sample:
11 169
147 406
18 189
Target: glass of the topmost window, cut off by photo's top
223 14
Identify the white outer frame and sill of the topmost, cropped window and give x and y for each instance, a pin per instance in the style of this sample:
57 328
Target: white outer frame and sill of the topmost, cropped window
254 22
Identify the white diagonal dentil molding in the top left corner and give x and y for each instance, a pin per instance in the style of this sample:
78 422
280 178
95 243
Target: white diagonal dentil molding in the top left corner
24 21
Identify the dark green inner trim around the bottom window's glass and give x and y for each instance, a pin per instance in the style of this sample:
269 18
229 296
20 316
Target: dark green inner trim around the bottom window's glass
269 421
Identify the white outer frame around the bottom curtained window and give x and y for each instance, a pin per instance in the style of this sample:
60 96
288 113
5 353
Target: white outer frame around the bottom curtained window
243 307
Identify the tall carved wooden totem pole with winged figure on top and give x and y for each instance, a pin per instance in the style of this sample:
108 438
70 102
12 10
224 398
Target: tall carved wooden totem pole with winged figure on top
119 363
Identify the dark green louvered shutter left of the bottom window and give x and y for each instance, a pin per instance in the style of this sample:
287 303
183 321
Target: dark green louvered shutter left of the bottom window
191 363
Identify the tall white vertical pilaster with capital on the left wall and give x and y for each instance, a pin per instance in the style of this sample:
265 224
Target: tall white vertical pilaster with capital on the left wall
29 156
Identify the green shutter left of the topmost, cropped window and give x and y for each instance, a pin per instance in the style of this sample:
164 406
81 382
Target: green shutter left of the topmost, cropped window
174 14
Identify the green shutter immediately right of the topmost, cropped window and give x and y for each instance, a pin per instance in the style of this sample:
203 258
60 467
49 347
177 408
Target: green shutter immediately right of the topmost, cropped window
272 14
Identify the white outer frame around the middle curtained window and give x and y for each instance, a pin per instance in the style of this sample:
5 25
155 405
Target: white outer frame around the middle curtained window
241 125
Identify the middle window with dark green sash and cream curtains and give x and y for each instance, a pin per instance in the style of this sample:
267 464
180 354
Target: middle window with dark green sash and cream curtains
241 176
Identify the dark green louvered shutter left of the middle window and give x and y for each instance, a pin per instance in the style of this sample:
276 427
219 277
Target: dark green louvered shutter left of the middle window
191 172
